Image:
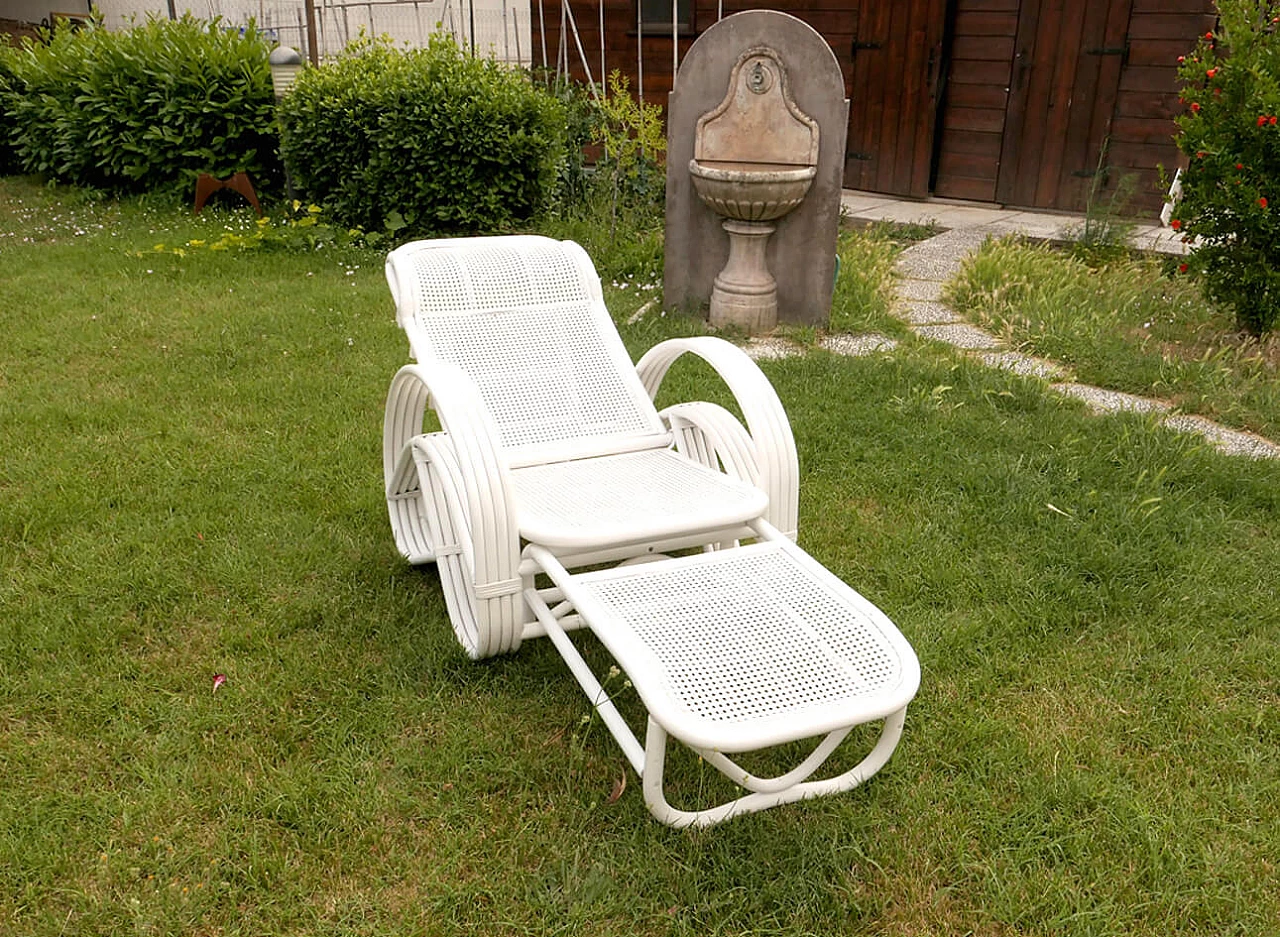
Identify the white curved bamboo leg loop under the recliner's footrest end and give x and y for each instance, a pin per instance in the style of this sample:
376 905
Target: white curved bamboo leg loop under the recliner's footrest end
656 798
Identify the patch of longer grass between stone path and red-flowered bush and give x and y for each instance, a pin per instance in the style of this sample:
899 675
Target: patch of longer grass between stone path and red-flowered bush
1130 326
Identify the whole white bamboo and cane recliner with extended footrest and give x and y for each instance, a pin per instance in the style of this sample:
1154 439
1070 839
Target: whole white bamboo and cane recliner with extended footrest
551 458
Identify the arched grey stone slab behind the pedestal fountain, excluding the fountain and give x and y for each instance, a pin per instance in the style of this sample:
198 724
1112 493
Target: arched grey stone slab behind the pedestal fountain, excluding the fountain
802 255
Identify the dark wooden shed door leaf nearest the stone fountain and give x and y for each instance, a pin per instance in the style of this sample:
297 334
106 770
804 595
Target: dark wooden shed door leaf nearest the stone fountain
895 75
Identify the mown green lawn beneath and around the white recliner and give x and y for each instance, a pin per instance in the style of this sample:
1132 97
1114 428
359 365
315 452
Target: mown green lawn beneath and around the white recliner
191 486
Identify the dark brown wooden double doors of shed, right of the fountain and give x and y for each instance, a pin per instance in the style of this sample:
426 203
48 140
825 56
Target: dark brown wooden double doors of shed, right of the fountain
991 100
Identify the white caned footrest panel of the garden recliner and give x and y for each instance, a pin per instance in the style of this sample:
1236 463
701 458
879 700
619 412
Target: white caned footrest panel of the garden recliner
751 647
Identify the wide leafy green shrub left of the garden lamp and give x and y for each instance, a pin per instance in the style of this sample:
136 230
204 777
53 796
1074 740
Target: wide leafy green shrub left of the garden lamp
144 108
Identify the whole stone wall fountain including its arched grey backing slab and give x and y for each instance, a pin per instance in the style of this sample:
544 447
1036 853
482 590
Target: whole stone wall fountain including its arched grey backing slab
756 153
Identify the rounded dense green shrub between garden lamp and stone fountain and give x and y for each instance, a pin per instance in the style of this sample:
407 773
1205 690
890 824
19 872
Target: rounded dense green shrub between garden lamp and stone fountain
449 141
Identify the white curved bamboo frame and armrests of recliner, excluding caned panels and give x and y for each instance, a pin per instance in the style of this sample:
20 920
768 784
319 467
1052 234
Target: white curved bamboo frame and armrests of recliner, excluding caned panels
451 501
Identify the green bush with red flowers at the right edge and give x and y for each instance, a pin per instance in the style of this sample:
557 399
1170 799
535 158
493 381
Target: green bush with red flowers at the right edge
1232 139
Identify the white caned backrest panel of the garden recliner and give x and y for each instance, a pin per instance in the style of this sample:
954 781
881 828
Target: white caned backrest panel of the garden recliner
524 317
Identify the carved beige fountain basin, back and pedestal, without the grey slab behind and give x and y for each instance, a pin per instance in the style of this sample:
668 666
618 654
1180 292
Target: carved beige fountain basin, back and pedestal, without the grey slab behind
755 161
